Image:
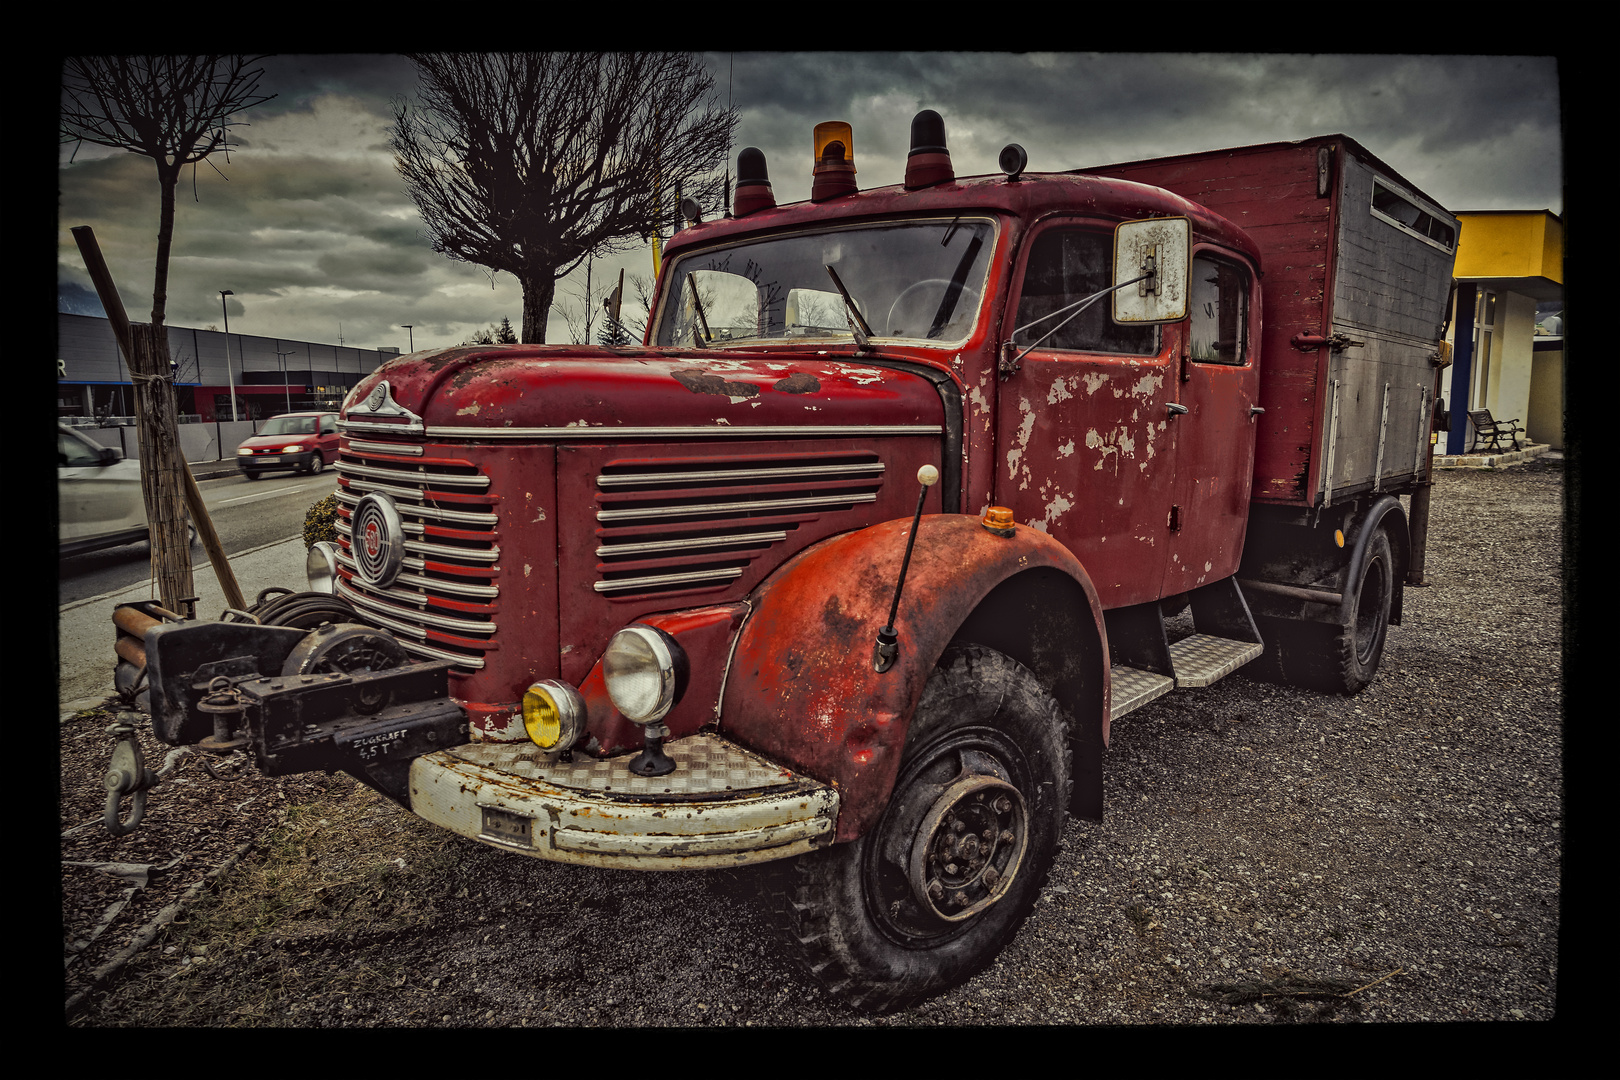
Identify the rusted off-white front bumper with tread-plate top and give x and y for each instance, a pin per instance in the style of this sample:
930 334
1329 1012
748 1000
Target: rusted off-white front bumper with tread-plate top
722 807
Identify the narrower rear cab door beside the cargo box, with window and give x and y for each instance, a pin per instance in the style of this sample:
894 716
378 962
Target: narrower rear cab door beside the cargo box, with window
1217 385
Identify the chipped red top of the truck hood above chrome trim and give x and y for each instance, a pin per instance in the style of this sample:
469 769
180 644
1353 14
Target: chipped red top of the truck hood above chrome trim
560 389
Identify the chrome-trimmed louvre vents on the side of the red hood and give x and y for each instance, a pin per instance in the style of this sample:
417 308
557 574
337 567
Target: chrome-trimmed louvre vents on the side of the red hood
683 524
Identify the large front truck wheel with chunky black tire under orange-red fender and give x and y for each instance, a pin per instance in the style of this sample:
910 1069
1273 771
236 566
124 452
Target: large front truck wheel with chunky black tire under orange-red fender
952 870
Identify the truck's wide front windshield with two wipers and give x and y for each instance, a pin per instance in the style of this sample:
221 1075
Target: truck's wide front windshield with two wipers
921 281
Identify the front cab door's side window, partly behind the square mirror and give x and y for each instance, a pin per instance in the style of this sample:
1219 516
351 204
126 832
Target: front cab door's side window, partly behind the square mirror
1067 266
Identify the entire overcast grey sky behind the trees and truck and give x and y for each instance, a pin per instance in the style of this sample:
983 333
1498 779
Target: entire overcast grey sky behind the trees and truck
310 227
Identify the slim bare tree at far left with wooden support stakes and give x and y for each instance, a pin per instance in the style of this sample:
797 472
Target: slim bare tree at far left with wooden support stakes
176 111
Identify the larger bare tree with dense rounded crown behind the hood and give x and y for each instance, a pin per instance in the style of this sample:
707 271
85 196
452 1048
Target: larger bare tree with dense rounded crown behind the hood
531 163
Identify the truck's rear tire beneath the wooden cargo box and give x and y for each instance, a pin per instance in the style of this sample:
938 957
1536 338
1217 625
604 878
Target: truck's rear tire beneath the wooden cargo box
1344 657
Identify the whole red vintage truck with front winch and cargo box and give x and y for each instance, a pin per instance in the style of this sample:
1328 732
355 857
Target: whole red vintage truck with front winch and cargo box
853 564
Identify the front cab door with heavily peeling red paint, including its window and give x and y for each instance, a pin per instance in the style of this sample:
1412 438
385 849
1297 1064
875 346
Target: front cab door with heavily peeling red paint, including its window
1085 443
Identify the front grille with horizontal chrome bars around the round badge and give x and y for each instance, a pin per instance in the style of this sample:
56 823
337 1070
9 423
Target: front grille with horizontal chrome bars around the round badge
443 603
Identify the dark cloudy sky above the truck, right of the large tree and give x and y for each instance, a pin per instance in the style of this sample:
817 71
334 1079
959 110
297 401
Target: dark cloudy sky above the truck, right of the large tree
1477 132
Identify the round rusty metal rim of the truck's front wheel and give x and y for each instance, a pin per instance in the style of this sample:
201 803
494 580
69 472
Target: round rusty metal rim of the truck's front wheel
953 841
